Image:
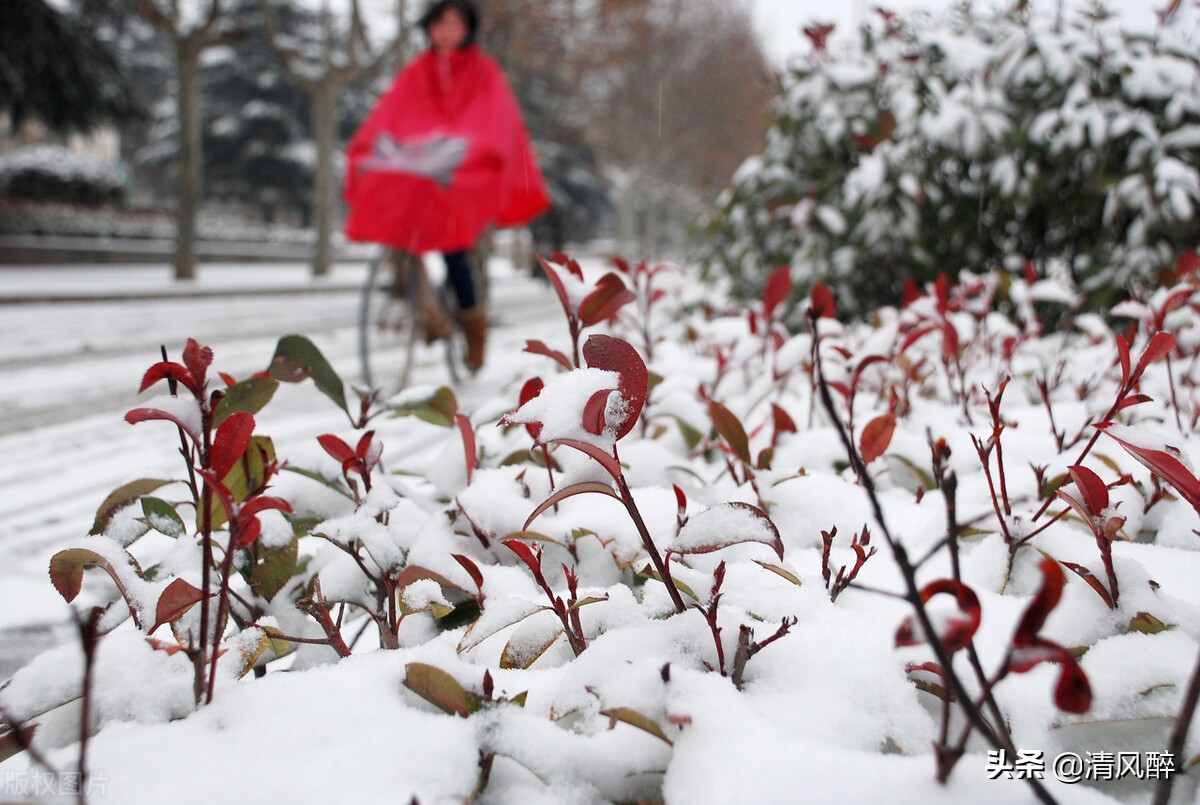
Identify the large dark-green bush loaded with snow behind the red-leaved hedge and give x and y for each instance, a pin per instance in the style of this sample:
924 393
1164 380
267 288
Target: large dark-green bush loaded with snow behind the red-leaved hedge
974 141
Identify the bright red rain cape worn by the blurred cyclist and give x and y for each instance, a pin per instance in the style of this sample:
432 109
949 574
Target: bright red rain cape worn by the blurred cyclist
436 161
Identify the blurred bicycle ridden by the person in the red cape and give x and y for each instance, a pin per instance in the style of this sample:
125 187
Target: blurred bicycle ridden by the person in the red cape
393 325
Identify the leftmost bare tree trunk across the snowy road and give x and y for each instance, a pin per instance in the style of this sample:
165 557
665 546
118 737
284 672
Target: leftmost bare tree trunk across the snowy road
190 165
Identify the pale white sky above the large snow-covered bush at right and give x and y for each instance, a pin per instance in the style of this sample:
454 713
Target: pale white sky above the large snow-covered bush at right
779 22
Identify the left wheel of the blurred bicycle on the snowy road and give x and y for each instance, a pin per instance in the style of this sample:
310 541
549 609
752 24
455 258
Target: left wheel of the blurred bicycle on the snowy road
389 323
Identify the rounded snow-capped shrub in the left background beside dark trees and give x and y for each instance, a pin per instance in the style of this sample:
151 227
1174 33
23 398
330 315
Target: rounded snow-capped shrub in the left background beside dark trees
52 173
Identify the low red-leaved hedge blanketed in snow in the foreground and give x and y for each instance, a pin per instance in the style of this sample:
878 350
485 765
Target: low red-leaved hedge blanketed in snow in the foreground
683 557
